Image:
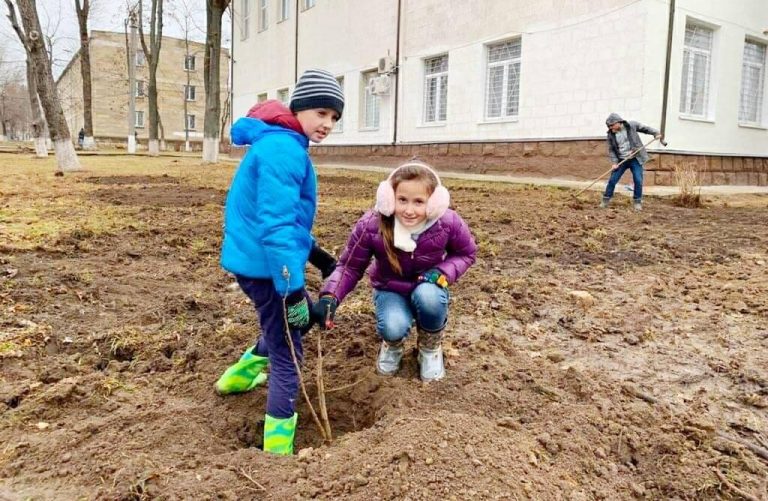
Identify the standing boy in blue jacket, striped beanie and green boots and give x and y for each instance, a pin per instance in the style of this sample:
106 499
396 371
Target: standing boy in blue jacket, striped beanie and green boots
268 219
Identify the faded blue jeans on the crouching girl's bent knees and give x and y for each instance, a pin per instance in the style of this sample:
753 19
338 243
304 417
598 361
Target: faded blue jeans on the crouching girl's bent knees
395 313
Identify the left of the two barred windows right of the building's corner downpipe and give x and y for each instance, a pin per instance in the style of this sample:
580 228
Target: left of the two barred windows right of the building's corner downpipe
697 61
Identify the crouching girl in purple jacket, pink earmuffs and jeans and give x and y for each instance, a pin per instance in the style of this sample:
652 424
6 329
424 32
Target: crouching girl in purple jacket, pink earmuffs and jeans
420 247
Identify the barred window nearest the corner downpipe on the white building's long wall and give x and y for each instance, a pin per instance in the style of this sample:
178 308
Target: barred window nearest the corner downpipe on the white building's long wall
502 99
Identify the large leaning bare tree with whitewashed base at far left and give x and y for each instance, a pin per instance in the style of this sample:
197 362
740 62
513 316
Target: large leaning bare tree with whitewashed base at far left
32 39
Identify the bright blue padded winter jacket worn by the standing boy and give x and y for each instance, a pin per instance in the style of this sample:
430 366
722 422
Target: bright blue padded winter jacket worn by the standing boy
270 206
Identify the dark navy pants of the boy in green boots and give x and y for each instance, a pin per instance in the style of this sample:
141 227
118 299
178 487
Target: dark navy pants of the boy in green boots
283 386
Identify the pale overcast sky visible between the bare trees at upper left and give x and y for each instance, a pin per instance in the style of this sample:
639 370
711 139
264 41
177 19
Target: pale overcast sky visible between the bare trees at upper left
58 20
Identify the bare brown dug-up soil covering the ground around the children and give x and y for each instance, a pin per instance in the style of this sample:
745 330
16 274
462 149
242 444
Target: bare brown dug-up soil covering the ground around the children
590 355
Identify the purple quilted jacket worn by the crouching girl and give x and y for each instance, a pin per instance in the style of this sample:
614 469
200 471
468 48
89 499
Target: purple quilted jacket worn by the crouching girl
447 245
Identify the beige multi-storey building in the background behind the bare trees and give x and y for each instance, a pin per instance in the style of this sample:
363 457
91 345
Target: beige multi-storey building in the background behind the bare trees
179 80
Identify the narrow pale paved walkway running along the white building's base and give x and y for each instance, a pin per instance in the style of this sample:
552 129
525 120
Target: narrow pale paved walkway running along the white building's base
660 191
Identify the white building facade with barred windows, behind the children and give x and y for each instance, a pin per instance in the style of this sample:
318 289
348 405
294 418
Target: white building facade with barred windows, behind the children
511 71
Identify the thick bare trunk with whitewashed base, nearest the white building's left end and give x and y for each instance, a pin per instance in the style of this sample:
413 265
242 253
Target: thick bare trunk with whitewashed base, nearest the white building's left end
211 132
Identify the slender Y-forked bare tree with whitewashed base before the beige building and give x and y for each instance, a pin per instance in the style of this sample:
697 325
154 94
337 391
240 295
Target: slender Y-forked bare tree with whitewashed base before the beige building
152 55
